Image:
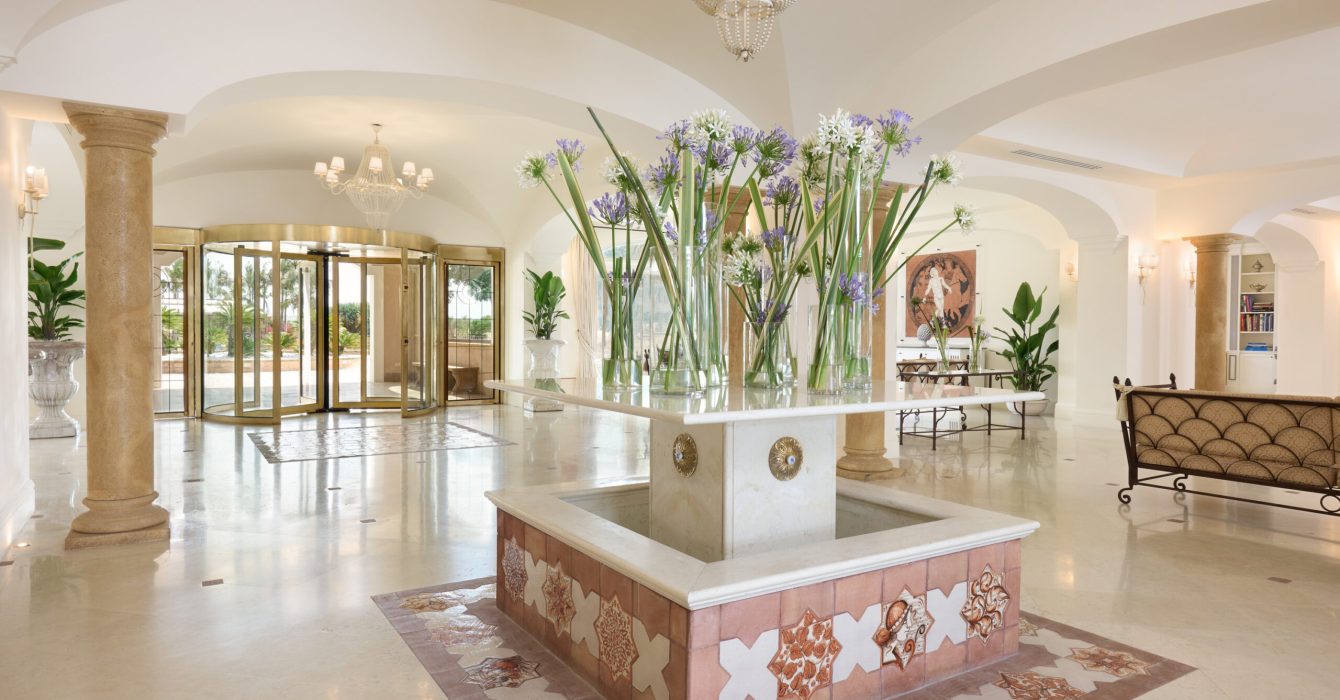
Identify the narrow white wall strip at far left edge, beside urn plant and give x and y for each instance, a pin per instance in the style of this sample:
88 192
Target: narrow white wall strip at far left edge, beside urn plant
17 495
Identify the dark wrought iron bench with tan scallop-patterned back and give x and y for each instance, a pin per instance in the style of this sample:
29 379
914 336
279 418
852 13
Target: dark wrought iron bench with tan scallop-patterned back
1284 442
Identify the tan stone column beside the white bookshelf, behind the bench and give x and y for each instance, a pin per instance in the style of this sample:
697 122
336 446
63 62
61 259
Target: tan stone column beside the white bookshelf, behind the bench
1212 310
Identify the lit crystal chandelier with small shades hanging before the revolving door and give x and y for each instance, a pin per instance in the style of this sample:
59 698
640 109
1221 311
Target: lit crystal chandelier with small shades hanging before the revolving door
375 188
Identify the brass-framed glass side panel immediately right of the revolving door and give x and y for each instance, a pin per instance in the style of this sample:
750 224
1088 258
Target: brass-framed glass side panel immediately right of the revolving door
472 356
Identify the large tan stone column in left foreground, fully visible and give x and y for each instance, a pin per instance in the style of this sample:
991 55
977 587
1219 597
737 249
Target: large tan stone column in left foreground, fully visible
119 278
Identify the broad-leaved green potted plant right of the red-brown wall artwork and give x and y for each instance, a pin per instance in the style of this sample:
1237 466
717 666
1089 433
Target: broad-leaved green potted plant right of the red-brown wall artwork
1027 349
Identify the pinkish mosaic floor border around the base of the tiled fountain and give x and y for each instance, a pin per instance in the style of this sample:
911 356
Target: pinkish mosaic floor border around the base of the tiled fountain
474 651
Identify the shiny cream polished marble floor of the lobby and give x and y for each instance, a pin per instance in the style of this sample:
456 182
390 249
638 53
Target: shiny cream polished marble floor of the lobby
298 549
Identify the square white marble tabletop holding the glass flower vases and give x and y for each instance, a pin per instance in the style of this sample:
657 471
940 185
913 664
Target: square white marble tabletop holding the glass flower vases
735 404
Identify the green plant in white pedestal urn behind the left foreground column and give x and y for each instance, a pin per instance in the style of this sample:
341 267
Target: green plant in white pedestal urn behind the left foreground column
52 352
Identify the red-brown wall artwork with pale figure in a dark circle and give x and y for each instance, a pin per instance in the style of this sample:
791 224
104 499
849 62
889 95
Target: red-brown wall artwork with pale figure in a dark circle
941 285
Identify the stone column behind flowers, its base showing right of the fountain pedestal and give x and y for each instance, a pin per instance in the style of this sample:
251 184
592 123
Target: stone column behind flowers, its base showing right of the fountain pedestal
864 453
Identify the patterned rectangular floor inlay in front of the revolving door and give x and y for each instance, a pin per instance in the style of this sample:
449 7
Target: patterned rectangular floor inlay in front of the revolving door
336 443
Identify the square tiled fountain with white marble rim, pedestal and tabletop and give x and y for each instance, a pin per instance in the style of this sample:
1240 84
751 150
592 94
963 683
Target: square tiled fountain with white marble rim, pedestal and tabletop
744 567
